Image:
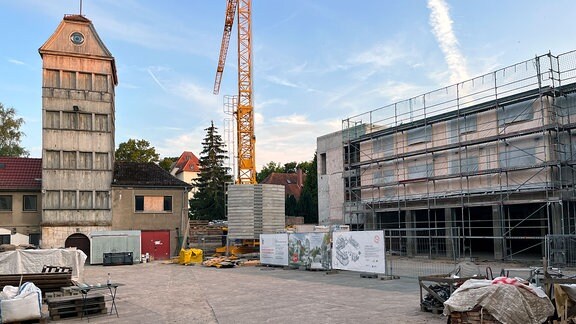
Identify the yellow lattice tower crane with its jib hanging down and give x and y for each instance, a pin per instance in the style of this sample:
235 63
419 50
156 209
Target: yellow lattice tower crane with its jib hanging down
245 110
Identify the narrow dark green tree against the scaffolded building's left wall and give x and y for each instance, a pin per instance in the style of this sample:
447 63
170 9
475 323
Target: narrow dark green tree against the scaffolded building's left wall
308 203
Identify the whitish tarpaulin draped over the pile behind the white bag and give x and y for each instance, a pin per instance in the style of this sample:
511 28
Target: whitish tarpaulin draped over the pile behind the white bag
32 261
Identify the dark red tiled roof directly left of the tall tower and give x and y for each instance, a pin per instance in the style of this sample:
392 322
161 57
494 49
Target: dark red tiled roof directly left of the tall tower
20 173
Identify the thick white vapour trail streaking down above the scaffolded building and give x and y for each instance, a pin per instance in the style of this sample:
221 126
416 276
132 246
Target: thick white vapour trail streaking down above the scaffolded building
441 24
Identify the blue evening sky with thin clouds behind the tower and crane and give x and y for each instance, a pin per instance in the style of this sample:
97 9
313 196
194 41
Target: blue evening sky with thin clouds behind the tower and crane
315 62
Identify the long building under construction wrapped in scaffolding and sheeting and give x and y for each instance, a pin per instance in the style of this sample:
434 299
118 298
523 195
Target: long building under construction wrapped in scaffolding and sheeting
482 167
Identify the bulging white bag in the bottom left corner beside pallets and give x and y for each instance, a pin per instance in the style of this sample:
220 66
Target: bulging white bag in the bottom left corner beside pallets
20 304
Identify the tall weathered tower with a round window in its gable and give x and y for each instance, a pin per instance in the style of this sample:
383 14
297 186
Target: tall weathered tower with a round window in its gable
78 80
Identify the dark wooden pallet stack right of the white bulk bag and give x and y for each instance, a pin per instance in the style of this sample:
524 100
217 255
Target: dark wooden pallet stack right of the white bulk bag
76 306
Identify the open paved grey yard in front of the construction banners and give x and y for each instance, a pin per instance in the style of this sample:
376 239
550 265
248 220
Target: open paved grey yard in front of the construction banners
170 293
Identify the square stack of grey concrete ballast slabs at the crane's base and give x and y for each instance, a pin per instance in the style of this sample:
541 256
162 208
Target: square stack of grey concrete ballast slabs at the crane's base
255 210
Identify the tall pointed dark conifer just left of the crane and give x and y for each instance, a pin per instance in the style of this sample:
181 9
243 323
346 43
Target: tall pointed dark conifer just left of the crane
209 201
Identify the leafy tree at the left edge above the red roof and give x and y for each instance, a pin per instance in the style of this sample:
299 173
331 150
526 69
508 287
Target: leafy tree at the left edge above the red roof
10 133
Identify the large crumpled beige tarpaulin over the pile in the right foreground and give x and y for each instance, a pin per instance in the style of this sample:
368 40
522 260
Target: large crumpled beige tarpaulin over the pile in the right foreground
509 301
